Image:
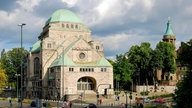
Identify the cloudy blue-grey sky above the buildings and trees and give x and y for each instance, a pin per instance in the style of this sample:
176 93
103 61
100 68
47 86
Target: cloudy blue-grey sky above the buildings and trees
119 24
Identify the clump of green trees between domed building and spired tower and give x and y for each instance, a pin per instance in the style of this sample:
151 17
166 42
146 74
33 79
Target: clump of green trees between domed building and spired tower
140 63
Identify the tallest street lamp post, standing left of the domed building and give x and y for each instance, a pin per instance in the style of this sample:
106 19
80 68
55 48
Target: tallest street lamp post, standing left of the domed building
21 25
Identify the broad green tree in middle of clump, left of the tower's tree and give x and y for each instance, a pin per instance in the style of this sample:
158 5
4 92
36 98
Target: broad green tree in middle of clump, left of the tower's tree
140 57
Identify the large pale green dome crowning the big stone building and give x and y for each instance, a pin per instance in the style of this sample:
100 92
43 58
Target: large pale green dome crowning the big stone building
64 15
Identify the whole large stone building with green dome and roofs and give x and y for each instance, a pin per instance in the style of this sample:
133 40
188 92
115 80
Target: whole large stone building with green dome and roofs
66 61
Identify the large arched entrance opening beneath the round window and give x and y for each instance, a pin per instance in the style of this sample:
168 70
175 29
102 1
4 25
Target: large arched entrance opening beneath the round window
85 84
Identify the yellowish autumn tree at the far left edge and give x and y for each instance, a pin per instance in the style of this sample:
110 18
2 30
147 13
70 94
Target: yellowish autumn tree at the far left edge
3 79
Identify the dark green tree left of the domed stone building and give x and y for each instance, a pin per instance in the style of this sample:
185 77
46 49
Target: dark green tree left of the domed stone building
11 62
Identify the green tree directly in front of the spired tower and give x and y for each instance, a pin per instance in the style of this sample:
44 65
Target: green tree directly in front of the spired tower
167 51
